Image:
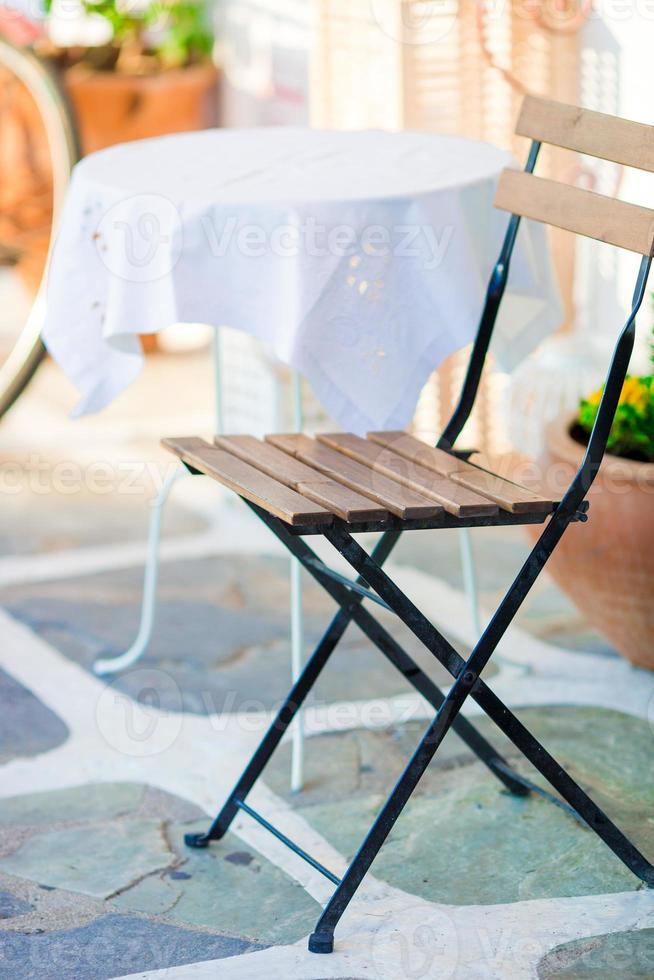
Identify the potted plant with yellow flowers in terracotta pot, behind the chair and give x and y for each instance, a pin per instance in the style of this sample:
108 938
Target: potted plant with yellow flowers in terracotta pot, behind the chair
606 566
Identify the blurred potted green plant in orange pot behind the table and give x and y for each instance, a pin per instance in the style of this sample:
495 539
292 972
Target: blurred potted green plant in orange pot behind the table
134 68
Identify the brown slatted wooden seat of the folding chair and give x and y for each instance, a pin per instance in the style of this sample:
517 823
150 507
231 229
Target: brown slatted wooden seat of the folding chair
390 479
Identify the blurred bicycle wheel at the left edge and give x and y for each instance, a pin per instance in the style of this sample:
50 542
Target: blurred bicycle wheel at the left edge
38 148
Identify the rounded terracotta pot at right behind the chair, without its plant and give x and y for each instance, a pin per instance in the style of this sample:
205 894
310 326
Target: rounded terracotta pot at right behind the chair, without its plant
606 566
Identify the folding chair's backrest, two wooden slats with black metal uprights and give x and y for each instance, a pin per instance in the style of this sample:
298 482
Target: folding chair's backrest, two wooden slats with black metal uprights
585 213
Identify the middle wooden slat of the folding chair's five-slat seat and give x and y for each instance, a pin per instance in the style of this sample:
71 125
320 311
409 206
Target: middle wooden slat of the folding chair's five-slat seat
400 501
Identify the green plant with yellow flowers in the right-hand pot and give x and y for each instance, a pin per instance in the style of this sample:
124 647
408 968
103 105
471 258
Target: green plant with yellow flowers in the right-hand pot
632 432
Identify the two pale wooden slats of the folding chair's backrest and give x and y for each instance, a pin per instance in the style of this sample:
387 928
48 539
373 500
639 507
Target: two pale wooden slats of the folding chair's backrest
584 212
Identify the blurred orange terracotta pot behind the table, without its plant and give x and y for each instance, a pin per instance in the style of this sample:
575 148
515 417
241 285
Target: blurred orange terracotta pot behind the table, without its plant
116 108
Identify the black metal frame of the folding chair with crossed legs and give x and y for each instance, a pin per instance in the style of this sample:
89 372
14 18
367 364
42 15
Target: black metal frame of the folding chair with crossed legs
374 584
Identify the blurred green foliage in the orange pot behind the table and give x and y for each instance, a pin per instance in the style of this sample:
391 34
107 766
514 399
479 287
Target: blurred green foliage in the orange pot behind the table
147 36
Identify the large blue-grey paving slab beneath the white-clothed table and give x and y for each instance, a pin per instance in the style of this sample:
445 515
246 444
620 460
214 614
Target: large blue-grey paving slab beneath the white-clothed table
221 635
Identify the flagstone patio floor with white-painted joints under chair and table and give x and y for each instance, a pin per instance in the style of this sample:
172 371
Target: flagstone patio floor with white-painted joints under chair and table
101 778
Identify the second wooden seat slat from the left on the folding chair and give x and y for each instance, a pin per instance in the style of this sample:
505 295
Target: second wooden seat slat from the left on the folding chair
340 500
